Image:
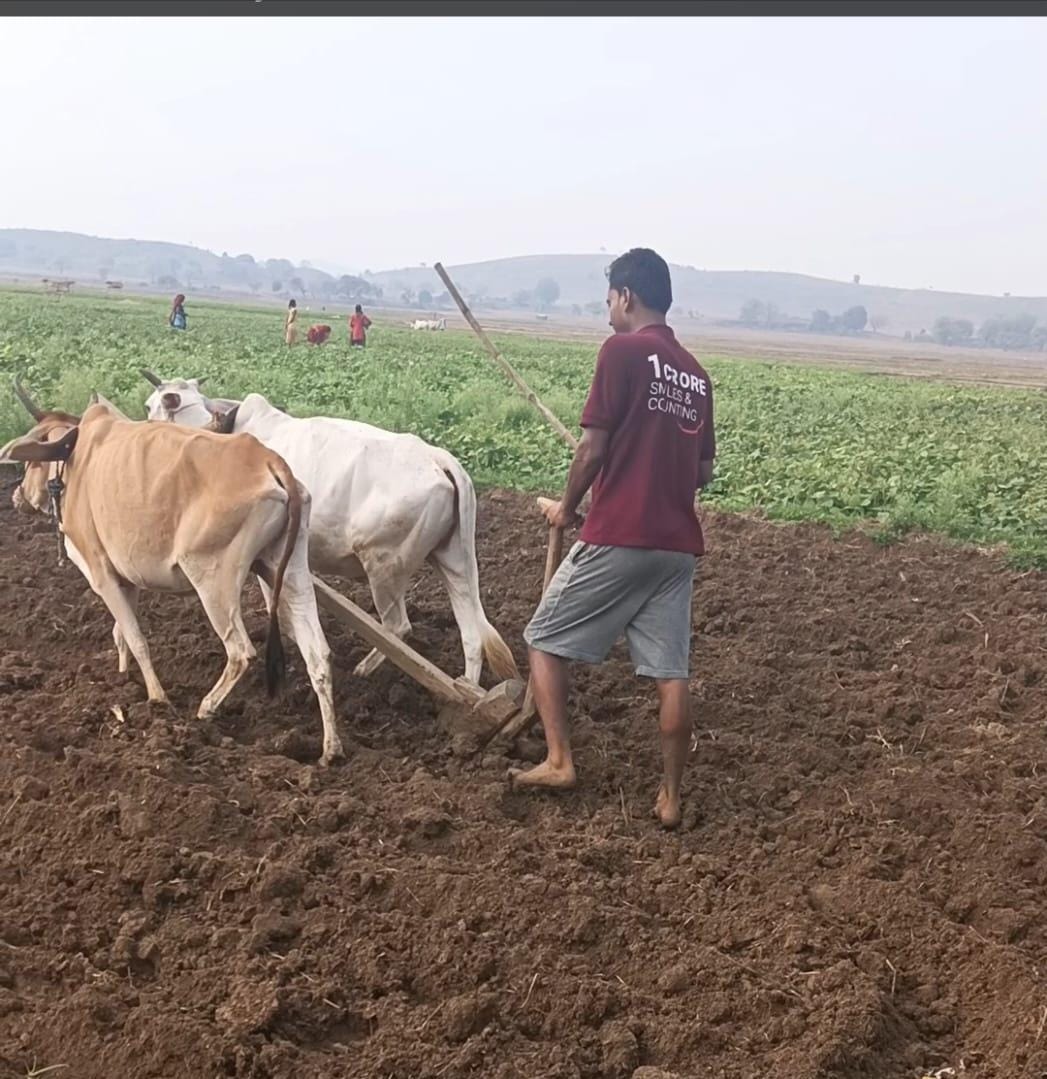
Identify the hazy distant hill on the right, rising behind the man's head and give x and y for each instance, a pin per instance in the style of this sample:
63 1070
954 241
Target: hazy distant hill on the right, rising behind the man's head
714 295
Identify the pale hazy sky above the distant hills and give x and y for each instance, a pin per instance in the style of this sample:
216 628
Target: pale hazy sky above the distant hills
908 151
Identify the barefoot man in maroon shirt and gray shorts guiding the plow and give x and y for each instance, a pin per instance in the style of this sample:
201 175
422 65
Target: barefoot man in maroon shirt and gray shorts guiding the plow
647 448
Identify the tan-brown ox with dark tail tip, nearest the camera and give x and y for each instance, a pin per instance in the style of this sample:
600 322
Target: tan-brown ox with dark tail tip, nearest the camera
169 509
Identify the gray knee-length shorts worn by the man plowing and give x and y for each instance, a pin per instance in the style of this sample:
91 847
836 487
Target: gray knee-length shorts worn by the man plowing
601 593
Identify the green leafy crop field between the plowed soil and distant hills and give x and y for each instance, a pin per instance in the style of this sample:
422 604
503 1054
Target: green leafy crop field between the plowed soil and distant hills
799 443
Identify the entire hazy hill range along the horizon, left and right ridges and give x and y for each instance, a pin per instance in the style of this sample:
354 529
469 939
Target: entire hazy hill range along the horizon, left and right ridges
711 296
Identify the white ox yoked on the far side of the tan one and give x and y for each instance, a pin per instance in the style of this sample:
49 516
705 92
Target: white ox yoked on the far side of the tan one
383 506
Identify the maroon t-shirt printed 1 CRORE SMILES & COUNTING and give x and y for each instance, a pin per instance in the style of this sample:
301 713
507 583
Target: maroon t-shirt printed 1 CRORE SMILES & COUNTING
656 401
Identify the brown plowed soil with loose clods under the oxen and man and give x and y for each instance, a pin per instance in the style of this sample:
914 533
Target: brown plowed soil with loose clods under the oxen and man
860 887
